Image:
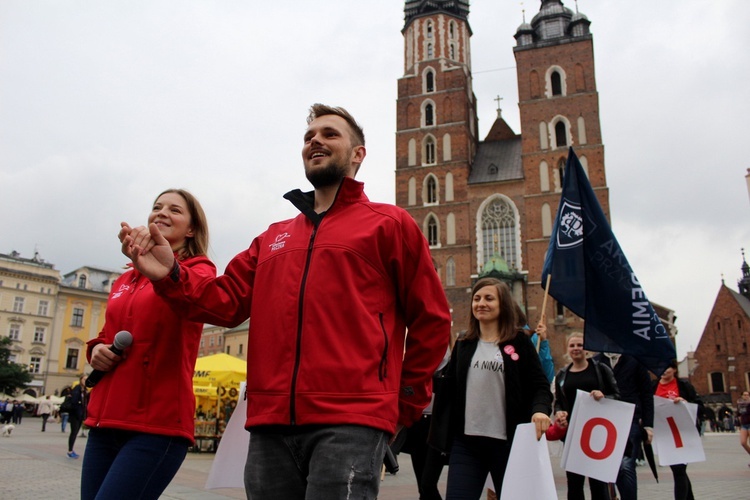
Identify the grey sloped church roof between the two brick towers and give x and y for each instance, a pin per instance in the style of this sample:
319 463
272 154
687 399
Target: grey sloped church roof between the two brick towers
497 161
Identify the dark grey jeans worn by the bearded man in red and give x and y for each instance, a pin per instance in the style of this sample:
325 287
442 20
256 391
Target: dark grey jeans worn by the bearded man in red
314 462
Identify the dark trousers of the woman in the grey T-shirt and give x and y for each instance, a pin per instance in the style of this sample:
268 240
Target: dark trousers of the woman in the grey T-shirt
471 459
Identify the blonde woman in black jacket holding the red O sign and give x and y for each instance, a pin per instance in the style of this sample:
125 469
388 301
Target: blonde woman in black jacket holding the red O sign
595 378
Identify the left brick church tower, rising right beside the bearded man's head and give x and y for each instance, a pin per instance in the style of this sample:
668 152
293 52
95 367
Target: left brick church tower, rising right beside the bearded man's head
436 134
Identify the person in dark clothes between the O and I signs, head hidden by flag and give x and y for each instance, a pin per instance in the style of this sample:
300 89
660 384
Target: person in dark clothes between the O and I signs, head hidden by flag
634 386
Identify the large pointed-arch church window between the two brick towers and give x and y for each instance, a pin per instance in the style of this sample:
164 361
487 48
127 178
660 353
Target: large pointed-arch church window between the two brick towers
499 232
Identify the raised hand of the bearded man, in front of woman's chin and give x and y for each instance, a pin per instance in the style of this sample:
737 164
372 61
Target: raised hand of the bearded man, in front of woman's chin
150 252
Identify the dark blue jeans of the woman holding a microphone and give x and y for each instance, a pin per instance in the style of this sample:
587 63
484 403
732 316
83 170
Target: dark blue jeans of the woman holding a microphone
125 464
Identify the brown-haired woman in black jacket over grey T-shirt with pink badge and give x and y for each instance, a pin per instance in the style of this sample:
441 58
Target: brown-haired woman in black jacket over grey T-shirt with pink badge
499 385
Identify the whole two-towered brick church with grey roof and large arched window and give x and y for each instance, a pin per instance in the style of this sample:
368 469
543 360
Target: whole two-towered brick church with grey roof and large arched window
487 206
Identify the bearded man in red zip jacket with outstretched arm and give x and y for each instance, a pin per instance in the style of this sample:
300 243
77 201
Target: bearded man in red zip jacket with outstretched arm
332 375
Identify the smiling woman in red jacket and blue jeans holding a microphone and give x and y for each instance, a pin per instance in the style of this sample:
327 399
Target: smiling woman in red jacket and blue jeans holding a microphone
141 412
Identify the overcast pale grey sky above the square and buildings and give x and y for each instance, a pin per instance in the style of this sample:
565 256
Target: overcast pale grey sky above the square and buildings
105 104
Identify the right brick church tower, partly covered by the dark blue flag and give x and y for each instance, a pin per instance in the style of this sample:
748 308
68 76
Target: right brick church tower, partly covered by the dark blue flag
559 108
